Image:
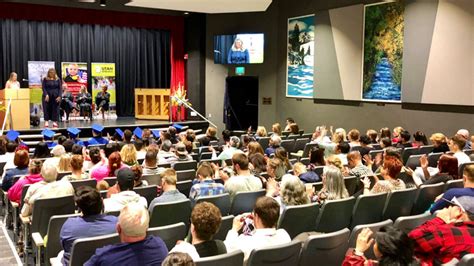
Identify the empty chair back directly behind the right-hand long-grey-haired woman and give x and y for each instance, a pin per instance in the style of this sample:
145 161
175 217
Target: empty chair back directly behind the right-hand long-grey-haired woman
342 209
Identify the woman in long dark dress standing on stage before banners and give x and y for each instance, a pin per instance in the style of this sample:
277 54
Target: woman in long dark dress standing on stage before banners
51 97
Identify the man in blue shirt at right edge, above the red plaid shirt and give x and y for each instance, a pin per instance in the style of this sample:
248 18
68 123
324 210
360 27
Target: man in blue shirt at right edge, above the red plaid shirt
467 190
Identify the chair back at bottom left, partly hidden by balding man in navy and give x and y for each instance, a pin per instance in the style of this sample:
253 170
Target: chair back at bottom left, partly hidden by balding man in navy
83 248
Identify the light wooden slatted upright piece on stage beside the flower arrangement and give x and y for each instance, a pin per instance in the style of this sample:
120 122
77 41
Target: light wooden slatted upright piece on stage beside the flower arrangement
152 103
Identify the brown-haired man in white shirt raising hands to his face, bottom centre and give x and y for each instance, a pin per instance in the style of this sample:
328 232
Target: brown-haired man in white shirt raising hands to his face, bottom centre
265 218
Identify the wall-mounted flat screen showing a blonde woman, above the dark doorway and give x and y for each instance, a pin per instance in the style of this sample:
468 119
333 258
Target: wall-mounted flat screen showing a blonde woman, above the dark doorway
246 48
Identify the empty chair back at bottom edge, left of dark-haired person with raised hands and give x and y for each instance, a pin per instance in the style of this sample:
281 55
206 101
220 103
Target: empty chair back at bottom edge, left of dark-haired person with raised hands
325 249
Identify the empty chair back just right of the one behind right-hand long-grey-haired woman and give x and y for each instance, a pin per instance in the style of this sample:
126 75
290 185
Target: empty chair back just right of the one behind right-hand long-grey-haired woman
368 209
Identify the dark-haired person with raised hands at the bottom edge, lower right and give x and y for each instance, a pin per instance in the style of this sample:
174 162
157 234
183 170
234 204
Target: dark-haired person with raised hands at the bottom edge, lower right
391 247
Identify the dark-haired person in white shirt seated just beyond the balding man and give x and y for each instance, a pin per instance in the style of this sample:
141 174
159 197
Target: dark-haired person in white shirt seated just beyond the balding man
126 195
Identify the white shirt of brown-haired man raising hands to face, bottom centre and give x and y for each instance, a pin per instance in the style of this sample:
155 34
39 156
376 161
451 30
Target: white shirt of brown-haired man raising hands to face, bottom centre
260 238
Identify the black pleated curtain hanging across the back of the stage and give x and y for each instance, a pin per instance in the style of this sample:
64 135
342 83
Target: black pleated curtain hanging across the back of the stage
141 56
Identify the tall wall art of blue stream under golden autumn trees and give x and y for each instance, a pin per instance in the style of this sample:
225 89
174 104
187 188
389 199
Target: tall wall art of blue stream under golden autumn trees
383 52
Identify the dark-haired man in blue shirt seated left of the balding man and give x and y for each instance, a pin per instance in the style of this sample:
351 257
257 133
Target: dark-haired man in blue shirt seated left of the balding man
91 223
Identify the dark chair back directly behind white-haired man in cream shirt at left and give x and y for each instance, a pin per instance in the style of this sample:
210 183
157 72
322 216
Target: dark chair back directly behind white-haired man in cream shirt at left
43 209
